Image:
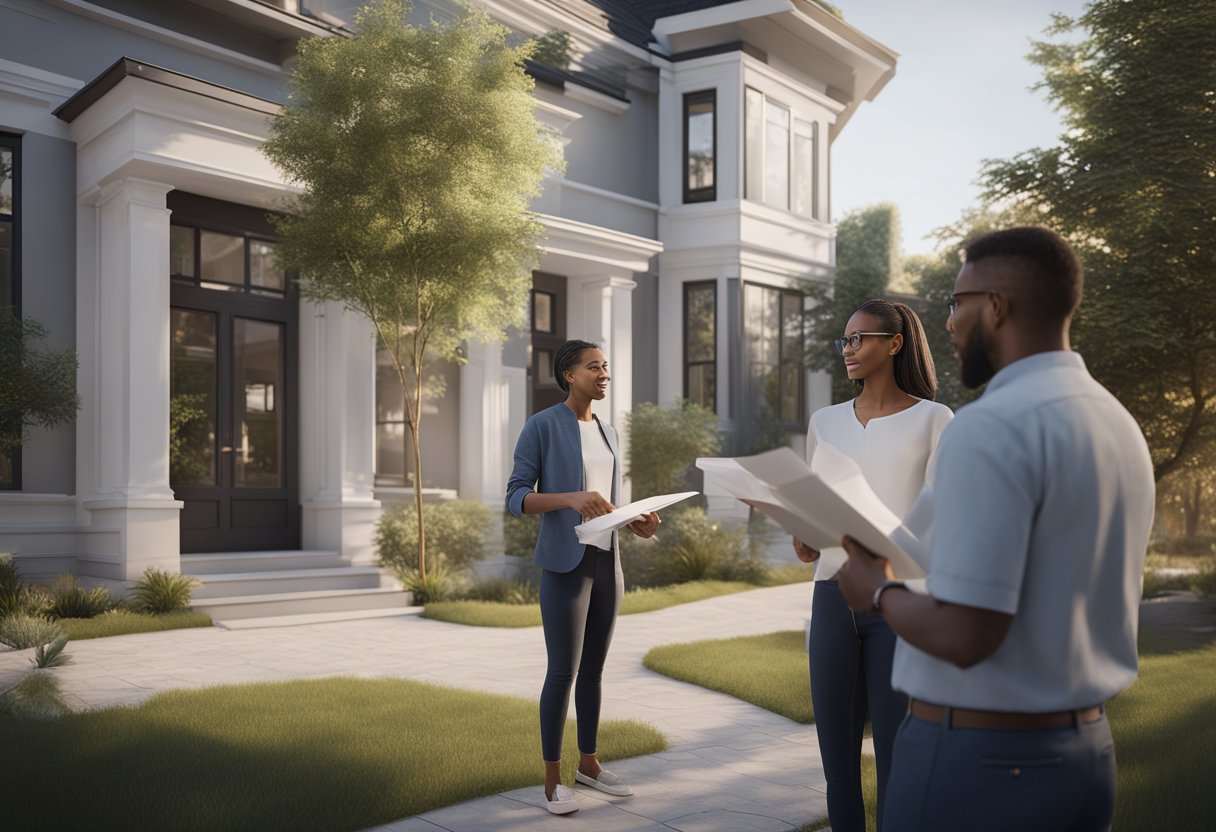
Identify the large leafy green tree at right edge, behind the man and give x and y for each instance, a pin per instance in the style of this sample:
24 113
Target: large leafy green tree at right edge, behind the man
1133 184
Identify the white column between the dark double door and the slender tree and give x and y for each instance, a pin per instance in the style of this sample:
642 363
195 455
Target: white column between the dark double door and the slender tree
337 431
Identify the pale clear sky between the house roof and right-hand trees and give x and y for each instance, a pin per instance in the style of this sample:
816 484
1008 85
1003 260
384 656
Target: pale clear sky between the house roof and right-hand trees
961 94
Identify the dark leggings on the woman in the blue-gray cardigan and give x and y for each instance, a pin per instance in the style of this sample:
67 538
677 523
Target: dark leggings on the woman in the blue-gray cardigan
578 611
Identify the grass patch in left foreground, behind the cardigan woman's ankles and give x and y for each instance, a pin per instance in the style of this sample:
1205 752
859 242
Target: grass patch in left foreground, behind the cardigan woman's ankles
318 755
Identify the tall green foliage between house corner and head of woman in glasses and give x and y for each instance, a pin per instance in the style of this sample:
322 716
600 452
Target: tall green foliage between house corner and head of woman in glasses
868 260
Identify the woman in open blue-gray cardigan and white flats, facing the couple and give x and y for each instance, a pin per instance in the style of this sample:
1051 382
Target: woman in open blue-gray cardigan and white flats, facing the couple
566 462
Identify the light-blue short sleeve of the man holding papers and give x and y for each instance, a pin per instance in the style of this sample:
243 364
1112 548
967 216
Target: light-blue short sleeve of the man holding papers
984 502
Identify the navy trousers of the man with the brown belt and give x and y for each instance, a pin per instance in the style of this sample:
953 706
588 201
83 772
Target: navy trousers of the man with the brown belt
1059 780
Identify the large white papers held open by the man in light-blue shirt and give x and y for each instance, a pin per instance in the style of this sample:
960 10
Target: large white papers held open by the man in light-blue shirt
819 505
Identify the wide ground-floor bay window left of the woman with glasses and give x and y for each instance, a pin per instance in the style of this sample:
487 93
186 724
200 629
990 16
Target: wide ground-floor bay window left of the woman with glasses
774 327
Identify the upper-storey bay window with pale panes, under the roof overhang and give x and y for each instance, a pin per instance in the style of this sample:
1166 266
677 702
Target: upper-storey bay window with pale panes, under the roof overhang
780 156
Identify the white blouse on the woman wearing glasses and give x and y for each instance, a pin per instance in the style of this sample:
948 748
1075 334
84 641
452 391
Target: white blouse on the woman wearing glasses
893 452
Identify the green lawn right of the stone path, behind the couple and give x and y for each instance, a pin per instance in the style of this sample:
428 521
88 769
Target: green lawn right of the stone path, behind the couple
1164 726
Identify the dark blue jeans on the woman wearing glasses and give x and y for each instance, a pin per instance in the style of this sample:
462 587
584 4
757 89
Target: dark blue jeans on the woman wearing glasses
851 661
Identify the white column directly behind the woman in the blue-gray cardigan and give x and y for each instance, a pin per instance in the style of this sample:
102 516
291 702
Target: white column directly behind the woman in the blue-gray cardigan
605 314
